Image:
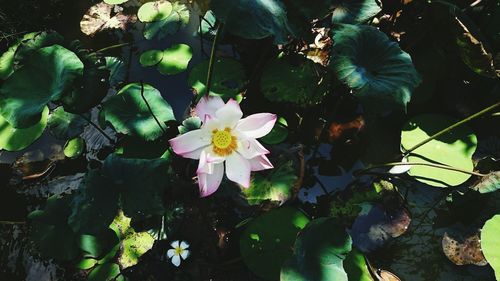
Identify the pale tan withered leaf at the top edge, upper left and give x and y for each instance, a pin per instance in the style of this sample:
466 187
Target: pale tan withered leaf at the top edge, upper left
103 16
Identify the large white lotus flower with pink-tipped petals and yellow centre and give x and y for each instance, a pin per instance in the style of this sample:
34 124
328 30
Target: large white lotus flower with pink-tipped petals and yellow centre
225 138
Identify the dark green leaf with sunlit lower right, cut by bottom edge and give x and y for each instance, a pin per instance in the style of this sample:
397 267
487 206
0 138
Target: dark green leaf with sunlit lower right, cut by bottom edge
319 257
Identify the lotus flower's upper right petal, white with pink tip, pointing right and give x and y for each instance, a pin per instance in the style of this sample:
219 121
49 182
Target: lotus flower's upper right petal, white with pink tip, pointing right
256 125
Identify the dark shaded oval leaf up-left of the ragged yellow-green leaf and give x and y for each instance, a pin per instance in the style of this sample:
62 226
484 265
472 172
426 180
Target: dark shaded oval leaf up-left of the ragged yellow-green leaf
95 205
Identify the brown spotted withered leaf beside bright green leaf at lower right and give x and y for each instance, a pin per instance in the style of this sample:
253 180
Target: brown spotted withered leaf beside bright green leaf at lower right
463 250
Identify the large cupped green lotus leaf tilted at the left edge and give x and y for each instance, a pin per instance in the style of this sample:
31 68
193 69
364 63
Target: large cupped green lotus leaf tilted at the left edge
45 77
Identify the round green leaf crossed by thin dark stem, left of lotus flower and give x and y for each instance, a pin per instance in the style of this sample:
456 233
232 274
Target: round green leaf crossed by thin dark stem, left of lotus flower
129 113
